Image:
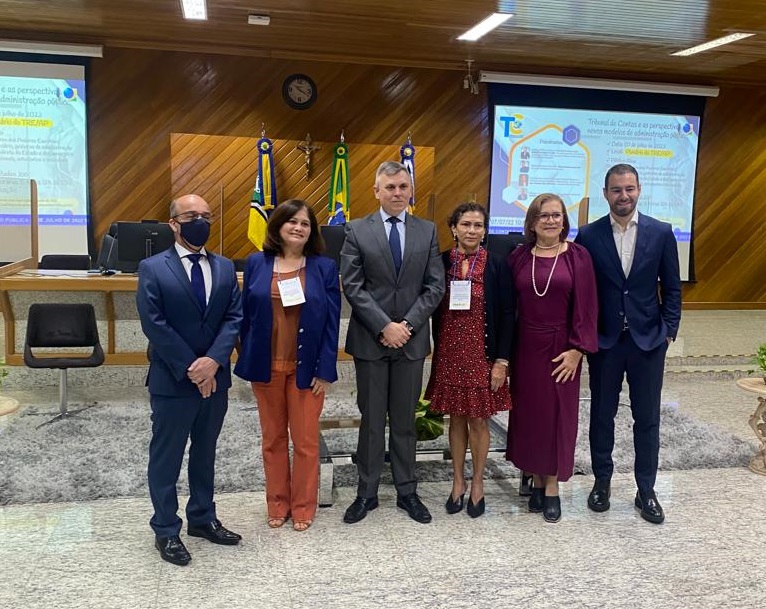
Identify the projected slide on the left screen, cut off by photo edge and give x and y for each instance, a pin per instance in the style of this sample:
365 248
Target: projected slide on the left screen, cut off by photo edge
43 137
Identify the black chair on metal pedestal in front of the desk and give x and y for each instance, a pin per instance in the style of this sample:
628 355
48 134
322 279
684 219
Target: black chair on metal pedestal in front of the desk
53 325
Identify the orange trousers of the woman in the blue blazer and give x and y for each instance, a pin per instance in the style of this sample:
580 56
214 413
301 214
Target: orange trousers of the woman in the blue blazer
288 412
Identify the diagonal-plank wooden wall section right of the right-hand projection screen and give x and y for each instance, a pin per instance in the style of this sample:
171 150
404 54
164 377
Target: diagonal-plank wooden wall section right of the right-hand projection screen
730 212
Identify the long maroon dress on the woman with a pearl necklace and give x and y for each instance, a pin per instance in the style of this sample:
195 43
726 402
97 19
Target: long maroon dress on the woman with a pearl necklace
542 429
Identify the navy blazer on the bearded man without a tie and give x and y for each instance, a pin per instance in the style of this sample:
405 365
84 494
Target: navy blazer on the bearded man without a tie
652 316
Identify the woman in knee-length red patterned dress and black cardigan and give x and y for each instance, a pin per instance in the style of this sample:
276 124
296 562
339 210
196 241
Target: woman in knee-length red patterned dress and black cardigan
472 330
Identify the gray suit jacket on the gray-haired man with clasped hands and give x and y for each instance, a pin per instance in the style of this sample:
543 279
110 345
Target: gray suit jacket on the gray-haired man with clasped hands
377 296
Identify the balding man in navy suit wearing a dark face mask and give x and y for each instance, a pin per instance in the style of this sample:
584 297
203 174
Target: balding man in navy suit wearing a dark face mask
190 308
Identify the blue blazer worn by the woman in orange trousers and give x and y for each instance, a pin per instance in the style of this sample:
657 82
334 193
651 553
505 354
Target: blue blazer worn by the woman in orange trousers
317 328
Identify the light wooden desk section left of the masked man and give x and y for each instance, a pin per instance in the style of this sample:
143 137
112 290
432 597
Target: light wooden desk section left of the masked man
112 297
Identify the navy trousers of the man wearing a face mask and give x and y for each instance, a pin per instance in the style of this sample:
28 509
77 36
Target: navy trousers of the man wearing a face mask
174 420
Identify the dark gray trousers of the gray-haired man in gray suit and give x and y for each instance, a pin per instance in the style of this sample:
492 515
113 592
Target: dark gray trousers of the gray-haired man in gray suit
389 386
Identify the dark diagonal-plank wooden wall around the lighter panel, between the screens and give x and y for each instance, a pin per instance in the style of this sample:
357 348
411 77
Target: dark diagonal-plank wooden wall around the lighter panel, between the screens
138 98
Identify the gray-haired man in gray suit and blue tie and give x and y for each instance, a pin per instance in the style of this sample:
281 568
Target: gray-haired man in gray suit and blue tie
393 279
